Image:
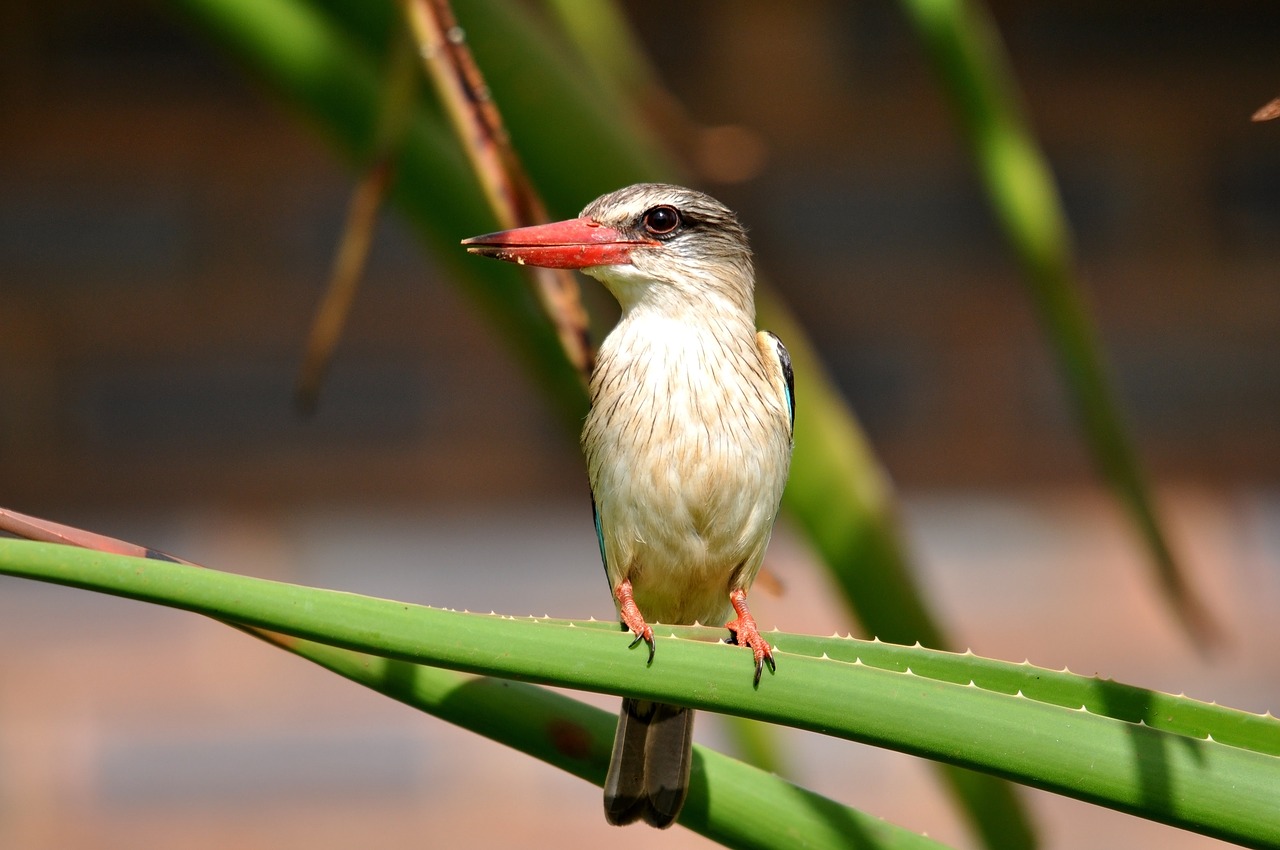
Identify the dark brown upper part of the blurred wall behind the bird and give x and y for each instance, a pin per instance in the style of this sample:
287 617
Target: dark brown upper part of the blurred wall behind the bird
164 234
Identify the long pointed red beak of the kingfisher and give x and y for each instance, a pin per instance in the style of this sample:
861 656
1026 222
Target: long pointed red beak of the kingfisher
577 244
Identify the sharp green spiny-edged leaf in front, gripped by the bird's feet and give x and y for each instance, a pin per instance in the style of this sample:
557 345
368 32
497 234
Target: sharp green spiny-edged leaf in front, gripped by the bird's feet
1199 784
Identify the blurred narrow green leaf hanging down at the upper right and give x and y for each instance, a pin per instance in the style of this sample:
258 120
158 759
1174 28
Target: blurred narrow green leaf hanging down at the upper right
973 70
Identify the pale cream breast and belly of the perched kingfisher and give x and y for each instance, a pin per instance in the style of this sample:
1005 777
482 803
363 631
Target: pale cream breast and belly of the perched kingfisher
687 477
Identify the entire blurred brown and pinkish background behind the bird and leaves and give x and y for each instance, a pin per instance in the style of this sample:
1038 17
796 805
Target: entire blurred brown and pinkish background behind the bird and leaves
166 231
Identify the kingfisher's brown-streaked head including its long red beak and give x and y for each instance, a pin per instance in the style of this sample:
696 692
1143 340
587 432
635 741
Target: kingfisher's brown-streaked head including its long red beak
652 232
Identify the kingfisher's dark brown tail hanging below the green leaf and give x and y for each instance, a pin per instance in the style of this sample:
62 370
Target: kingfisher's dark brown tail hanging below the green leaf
650 771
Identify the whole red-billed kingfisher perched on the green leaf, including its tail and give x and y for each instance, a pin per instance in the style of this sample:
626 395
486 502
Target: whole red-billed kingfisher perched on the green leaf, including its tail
688 444
